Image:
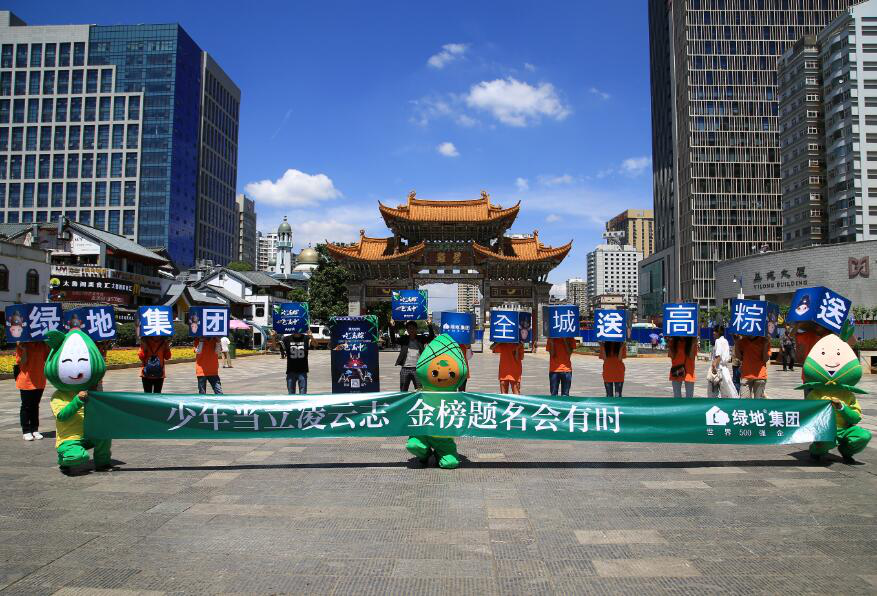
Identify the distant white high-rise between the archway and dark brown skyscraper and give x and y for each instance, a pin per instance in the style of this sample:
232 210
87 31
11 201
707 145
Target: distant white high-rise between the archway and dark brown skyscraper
612 269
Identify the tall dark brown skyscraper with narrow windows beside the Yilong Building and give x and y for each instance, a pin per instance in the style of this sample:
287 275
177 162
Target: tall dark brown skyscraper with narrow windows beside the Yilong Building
714 106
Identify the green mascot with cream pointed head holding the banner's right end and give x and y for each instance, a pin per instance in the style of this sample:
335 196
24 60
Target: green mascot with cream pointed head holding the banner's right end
831 372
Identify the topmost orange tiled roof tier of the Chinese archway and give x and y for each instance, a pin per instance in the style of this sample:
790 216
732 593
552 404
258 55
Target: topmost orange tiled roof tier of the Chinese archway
449 211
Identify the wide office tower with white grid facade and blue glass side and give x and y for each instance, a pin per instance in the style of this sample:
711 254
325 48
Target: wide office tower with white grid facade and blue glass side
112 126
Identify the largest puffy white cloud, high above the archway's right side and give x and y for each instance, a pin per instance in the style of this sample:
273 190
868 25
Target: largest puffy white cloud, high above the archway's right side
517 103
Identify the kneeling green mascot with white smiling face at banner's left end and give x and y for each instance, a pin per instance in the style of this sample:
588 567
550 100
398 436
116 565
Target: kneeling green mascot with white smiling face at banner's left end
74 366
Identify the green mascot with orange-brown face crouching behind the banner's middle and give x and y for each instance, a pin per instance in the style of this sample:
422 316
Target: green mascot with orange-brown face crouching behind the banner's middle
441 367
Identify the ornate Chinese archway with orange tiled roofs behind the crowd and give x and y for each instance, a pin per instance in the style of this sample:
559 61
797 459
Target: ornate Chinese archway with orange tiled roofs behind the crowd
451 242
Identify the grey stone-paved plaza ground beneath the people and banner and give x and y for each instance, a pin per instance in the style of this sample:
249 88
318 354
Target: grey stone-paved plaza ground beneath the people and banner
354 517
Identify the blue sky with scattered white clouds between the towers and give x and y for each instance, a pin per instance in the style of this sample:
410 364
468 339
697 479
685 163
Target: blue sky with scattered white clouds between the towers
346 103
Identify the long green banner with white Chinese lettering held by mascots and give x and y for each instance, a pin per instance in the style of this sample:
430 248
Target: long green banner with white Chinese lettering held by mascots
658 420
